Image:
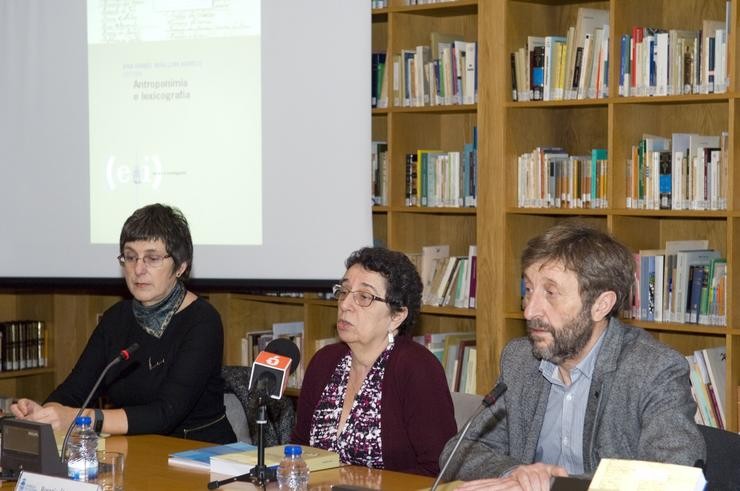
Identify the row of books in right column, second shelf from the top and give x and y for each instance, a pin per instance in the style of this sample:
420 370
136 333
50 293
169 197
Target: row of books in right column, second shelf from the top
684 172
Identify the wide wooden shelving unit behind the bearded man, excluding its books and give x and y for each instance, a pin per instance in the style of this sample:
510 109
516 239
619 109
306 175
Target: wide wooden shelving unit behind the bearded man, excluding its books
614 123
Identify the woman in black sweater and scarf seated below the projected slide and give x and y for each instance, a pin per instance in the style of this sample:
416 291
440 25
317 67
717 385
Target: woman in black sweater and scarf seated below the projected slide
172 385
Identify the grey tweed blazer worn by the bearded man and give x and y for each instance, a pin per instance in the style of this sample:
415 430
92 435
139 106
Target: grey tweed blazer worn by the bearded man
640 407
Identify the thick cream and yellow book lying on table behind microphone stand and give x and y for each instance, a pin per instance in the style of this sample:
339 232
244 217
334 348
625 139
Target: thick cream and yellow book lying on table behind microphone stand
237 463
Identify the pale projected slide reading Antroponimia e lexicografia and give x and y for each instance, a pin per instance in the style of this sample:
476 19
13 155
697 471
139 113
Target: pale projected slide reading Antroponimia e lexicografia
175 115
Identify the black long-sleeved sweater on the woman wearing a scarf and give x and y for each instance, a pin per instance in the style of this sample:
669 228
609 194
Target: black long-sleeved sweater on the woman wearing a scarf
171 386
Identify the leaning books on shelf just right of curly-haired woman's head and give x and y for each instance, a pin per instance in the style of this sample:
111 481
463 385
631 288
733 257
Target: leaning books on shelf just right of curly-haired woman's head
447 280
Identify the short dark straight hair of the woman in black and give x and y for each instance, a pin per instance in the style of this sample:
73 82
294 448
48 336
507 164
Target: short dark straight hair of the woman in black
165 223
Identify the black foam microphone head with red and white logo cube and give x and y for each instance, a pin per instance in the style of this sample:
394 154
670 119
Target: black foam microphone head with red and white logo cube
273 366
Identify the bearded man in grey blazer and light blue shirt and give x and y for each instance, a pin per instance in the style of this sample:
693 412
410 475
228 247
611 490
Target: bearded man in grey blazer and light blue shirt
582 386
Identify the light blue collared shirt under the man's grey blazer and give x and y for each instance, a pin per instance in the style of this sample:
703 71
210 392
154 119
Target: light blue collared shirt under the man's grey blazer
561 437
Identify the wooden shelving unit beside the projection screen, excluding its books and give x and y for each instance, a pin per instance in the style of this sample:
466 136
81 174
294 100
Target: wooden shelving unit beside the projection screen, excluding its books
407 129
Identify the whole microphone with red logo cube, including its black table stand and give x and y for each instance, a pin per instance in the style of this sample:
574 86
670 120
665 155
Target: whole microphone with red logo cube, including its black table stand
268 378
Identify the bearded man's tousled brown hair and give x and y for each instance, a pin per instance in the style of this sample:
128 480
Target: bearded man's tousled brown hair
600 262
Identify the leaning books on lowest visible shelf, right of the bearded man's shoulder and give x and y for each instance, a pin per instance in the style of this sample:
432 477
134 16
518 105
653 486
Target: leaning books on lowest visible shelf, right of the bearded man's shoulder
708 385
